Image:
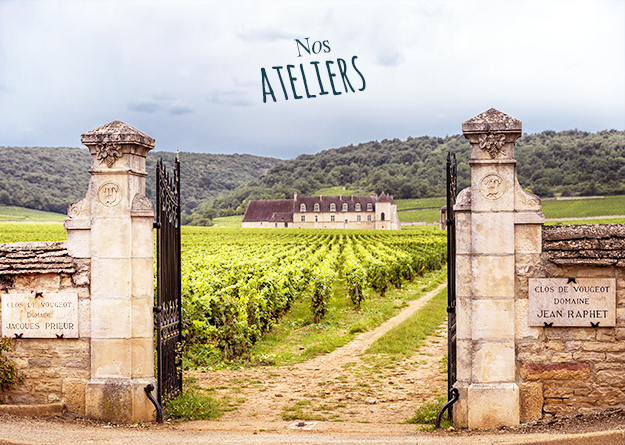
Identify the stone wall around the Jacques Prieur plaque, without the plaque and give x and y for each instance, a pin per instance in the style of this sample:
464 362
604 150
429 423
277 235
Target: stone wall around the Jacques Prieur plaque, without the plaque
54 370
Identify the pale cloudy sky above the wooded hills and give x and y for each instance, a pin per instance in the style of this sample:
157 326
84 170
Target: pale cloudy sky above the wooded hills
189 73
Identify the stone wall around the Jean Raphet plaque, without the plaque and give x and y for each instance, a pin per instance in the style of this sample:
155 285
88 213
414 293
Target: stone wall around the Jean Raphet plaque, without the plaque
571 369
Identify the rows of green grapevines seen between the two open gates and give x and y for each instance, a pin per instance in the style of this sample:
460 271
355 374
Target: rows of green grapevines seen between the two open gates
237 283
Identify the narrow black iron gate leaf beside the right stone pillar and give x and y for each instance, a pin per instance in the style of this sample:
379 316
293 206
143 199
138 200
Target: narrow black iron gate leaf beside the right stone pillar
452 393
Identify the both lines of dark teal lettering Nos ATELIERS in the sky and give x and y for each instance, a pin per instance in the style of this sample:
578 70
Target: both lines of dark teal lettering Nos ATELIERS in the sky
317 47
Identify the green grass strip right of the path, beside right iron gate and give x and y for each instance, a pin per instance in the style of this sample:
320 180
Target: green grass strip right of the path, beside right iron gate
406 338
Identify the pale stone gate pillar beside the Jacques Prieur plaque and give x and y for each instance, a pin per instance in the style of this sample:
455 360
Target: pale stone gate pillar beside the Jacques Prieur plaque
113 225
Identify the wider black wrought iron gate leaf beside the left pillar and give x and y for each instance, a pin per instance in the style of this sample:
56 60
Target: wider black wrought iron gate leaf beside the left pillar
168 299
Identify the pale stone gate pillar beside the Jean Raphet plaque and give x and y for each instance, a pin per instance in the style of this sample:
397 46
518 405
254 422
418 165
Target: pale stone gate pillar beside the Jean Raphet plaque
487 242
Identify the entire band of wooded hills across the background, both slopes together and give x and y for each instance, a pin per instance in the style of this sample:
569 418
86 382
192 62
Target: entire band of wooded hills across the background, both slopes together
568 163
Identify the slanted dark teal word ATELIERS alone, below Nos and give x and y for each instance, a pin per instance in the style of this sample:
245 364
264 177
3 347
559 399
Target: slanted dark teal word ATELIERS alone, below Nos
306 83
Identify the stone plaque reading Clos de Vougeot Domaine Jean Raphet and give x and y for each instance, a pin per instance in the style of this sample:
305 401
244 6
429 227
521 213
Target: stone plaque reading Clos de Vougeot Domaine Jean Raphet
583 302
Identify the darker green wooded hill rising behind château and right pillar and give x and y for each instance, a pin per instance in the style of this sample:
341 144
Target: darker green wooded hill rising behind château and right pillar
568 163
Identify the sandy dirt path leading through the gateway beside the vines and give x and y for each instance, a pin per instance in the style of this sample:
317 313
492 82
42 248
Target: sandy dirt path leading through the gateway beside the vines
345 385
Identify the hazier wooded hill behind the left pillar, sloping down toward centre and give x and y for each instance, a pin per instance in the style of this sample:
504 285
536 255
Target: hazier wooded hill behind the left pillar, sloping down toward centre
49 179
